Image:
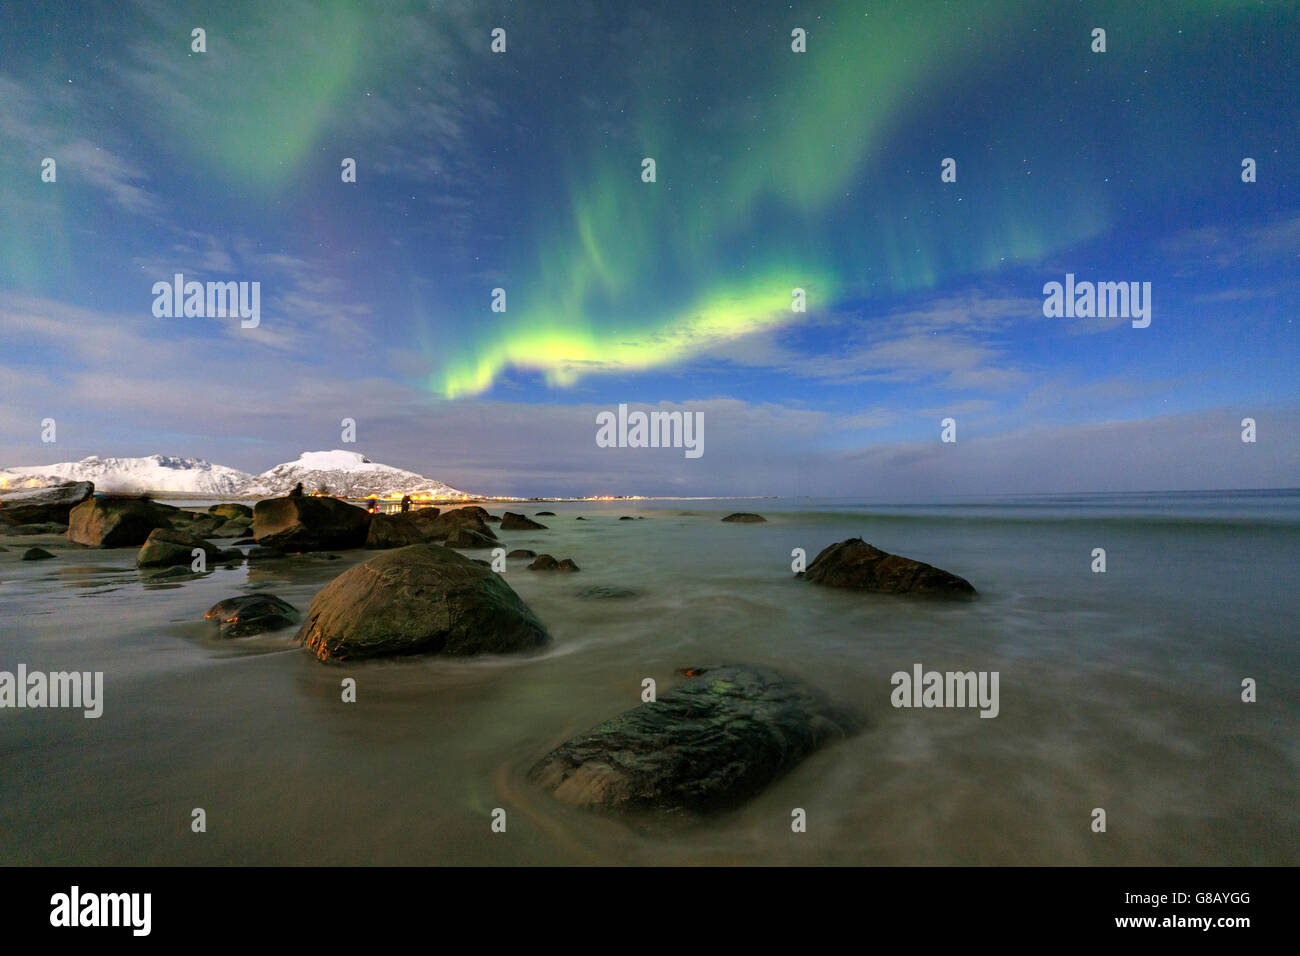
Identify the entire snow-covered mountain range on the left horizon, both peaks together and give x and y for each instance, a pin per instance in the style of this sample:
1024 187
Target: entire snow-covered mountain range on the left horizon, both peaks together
346 474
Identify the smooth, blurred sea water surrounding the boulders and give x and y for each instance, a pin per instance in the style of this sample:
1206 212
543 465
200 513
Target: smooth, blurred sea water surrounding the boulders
1119 691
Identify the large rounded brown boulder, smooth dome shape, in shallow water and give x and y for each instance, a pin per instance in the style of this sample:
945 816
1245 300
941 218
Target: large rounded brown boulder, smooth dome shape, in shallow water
419 600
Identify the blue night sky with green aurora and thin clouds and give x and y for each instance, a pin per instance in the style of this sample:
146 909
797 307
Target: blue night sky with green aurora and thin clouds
775 170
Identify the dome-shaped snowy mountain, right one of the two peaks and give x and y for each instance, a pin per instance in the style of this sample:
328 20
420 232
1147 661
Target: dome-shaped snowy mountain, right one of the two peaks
346 474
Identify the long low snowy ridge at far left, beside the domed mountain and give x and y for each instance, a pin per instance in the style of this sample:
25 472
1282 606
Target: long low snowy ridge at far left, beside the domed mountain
153 474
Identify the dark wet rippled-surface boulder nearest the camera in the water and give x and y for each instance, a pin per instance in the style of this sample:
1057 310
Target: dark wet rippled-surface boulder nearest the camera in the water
707 745
